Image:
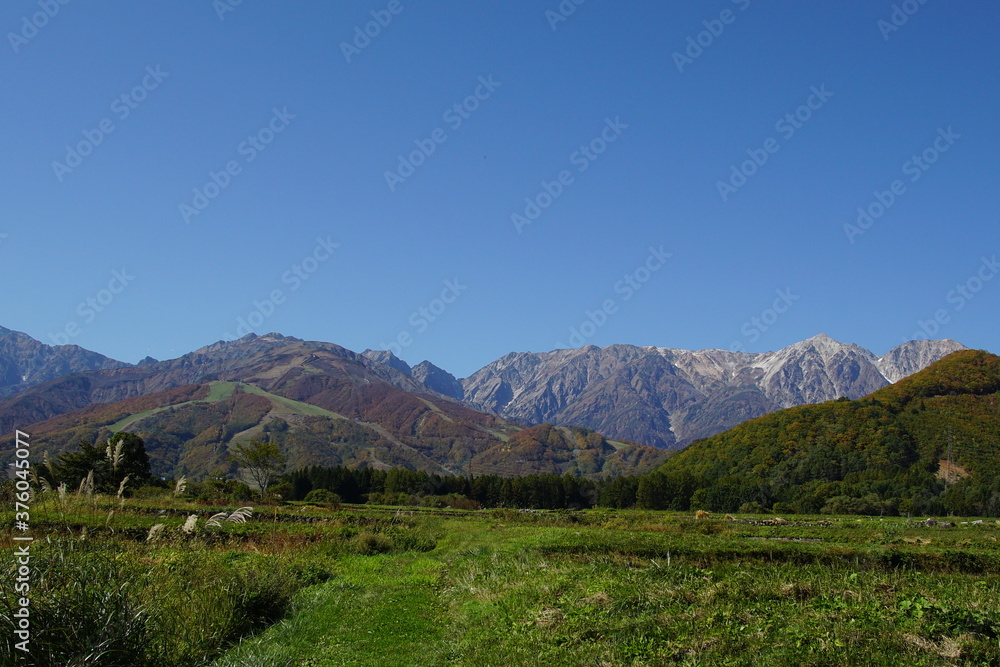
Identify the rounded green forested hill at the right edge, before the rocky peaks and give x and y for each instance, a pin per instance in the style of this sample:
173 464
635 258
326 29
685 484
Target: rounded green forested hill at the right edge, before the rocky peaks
930 442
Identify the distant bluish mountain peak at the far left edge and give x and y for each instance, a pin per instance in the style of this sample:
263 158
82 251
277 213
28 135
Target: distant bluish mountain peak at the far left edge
25 362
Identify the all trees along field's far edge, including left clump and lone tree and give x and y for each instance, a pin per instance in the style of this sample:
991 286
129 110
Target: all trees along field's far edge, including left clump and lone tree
121 465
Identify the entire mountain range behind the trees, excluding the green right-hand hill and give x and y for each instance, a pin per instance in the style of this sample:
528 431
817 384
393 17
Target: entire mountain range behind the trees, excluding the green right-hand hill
330 405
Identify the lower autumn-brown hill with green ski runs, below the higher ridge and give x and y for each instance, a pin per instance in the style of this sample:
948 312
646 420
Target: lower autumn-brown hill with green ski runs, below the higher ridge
189 429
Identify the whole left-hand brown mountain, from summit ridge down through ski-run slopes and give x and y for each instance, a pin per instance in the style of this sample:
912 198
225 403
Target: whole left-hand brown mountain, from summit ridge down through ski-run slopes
323 404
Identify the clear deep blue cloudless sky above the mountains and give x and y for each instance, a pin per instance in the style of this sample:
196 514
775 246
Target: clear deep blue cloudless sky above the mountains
169 168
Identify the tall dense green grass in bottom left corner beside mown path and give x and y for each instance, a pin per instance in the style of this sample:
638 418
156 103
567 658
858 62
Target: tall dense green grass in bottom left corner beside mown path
118 603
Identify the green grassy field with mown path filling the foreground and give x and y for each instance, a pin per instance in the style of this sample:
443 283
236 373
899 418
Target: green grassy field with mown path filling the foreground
390 586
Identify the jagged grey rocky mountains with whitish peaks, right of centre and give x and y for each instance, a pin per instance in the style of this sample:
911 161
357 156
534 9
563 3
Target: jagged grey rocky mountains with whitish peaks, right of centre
669 398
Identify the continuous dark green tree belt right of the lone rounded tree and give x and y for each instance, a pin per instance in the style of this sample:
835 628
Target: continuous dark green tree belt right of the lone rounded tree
677 490
